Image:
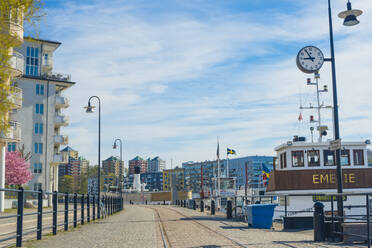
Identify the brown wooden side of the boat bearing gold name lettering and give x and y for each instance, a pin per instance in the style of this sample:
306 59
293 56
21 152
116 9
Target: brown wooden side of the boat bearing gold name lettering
317 179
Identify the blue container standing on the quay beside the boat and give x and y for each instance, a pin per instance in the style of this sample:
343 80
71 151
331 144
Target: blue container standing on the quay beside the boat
260 215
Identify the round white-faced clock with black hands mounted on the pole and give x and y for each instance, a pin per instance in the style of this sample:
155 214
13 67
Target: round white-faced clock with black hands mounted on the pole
310 59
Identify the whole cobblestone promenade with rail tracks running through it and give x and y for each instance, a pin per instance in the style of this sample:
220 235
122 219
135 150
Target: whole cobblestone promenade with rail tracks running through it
168 226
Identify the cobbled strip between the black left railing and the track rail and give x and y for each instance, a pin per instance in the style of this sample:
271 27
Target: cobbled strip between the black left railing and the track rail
133 227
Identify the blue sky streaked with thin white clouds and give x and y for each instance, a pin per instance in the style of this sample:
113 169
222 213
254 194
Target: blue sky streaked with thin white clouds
172 75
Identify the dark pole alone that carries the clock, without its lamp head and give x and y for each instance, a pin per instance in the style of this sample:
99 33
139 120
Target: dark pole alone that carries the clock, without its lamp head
340 204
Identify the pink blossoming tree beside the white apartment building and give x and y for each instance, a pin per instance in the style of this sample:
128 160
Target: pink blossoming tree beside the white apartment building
17 170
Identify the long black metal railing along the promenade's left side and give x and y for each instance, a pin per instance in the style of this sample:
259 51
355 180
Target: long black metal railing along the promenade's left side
66 210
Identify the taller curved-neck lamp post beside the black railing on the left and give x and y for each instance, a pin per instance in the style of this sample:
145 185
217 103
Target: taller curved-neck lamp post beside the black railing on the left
90 109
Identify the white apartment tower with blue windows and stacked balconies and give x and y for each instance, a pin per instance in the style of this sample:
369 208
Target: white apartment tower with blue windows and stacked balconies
41 116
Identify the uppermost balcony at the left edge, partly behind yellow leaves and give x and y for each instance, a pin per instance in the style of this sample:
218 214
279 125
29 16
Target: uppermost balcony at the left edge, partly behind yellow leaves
13 27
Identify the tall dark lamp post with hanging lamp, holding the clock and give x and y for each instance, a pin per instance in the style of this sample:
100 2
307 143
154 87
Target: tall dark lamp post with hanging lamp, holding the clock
350 19
